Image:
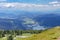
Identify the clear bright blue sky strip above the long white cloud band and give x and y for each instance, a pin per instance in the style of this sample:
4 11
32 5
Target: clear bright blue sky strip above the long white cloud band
31 1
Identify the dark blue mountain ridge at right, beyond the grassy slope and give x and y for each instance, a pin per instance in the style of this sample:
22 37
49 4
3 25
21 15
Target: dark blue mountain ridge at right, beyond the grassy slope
49 20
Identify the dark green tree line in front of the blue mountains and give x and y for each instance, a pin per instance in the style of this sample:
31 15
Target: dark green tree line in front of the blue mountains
14 33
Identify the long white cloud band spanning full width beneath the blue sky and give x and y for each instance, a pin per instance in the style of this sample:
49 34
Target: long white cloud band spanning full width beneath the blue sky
30 7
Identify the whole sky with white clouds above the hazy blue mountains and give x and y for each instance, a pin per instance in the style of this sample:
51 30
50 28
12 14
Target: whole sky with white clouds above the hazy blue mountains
30 5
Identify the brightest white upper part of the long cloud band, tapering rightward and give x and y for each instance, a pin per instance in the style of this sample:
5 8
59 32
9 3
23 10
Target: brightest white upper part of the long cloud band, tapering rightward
21 5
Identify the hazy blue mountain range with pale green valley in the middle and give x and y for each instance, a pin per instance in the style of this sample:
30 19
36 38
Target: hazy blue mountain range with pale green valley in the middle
28 21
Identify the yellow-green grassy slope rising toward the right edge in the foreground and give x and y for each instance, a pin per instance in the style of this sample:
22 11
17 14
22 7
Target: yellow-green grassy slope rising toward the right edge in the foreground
50 34
